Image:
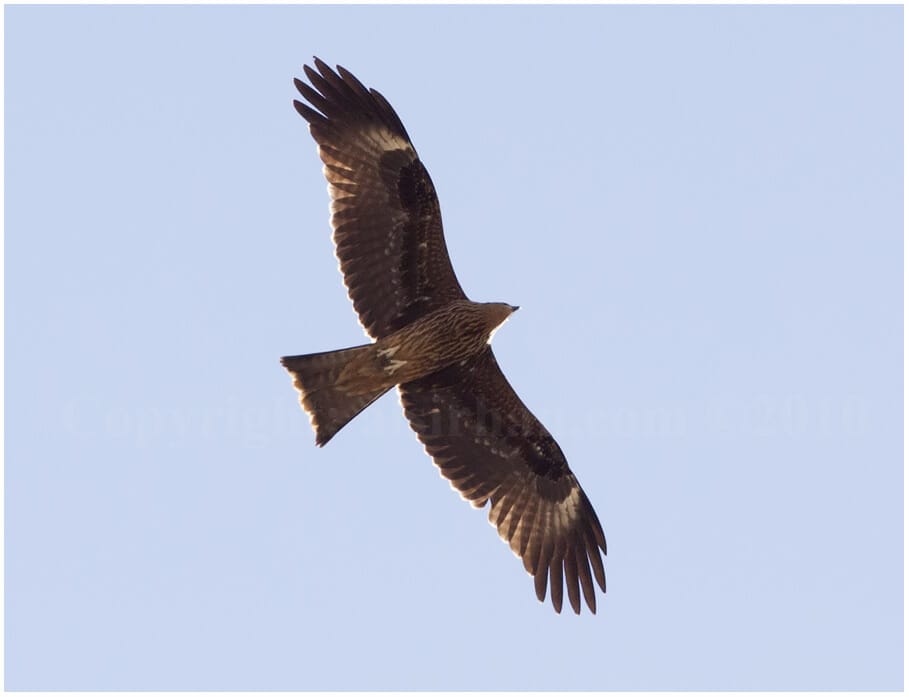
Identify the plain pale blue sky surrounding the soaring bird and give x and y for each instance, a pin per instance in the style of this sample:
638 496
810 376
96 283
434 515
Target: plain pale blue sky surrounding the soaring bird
699 211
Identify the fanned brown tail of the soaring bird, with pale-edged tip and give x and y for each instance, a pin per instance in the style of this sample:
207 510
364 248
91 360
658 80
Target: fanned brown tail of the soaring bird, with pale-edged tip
327 392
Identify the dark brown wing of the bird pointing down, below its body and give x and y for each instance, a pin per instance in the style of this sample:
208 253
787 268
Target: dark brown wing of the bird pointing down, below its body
491 448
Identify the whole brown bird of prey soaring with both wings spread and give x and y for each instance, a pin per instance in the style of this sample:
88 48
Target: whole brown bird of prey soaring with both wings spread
433 344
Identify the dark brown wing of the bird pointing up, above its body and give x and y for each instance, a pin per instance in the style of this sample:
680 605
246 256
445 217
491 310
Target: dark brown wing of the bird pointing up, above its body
384 211
